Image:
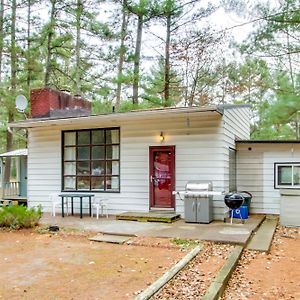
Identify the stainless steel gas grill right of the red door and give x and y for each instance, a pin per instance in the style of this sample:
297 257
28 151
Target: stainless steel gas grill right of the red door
197 198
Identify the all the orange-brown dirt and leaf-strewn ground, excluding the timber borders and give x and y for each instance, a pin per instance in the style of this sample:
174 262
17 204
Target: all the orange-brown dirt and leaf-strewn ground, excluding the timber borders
67 265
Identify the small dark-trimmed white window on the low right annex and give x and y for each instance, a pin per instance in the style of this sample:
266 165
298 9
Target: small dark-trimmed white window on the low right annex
287 175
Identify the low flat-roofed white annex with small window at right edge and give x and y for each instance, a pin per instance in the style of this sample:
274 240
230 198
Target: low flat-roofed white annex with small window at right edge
270 170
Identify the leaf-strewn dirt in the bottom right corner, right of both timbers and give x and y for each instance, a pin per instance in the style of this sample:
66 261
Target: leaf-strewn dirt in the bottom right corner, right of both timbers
276 275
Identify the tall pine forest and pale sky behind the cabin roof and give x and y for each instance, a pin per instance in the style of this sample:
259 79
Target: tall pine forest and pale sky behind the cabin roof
136 54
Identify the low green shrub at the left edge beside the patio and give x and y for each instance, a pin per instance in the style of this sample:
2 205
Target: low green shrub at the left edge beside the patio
17 217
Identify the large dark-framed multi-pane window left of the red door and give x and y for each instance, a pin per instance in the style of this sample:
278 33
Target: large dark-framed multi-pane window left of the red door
91 160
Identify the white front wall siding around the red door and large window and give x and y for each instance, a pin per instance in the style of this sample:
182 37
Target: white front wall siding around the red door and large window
199 156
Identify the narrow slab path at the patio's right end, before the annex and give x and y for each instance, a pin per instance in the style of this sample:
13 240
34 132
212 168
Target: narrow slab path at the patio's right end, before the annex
262 238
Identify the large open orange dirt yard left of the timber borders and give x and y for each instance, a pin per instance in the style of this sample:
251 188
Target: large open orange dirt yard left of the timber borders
69 266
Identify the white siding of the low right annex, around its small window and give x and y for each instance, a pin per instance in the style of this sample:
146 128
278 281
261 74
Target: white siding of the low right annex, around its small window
256 172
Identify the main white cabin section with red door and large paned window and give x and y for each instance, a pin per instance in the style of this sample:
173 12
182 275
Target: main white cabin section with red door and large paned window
116 155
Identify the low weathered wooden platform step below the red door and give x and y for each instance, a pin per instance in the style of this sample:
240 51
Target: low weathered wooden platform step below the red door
161 216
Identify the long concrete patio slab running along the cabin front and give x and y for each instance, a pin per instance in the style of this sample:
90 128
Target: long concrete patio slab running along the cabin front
216 231
